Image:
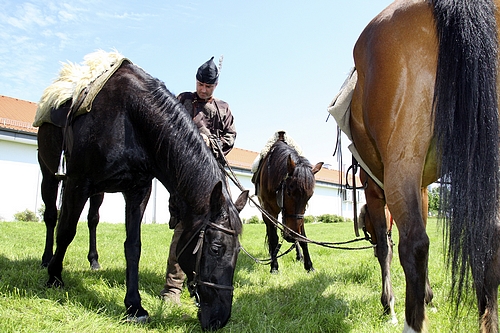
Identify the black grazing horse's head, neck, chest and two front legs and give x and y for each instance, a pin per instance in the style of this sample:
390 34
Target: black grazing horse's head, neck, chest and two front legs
135 131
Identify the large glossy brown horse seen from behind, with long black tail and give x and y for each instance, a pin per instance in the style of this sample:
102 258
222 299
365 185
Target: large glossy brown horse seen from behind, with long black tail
425 107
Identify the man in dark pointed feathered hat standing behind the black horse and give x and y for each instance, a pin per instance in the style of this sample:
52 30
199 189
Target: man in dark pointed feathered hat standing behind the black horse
215 122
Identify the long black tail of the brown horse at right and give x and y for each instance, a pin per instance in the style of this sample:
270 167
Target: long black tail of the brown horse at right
467 132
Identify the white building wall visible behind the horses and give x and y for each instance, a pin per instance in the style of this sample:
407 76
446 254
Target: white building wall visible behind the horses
20 179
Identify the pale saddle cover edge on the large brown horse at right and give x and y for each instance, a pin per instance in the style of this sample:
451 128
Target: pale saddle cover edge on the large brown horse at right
340 109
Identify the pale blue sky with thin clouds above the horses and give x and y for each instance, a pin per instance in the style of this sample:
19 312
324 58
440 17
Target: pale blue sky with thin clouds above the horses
283 61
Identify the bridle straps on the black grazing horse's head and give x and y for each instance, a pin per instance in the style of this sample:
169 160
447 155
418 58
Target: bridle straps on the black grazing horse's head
198 250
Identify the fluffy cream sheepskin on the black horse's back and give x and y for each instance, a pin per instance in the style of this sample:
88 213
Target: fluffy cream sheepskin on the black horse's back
91 74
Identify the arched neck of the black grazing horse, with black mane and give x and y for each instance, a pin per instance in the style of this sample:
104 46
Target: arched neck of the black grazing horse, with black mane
181 161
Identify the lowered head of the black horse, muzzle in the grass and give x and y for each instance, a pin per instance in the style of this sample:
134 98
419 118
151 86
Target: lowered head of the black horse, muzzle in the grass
207 253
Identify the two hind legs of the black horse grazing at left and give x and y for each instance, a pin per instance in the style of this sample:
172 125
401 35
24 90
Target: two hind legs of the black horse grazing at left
50 139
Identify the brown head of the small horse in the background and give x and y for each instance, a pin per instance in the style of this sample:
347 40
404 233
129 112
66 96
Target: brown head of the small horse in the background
296 190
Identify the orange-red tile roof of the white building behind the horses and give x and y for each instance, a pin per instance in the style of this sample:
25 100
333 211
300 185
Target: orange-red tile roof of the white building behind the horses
17 114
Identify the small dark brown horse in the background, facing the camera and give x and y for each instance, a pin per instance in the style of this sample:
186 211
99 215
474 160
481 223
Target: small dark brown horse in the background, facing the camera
286 183
